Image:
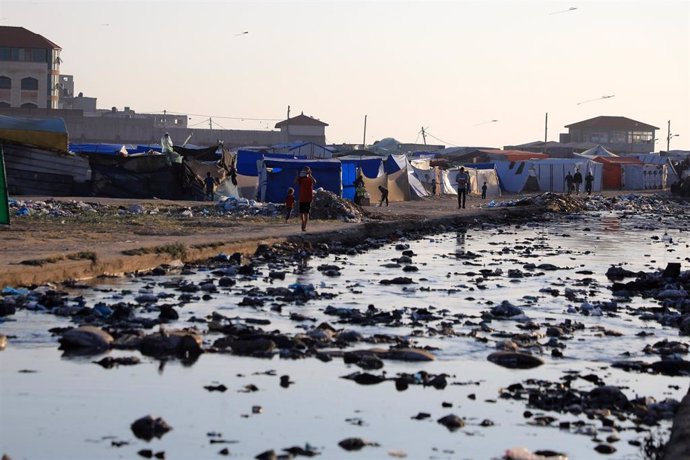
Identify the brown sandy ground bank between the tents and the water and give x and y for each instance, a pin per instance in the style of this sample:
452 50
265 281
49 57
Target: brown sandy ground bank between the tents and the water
42 249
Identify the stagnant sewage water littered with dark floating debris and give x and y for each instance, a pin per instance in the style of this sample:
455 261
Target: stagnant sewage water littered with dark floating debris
58 407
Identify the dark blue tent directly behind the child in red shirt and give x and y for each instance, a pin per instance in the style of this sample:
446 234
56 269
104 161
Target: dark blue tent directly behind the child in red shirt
276 175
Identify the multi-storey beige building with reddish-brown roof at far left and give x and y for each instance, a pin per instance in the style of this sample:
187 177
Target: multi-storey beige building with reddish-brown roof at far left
29 69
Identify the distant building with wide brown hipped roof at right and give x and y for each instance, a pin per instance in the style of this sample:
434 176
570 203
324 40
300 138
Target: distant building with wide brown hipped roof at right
618 134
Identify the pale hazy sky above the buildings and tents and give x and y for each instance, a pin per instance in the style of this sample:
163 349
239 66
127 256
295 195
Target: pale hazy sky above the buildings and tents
449 67
